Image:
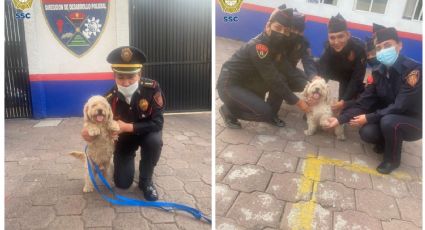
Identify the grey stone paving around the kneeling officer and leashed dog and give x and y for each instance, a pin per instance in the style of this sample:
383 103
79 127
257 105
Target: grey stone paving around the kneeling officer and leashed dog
44 184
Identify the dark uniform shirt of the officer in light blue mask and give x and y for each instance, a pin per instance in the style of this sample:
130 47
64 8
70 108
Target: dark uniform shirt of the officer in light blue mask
394 90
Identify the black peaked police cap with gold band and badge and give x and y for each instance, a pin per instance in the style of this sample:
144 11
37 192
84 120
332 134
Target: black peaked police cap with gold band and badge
126 59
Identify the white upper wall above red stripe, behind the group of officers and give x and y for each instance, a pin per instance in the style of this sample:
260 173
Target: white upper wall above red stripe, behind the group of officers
392 17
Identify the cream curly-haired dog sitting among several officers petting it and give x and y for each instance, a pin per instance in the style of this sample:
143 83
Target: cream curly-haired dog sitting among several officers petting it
317 92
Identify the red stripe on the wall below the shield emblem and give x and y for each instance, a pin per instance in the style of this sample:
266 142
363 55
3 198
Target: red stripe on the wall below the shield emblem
72 77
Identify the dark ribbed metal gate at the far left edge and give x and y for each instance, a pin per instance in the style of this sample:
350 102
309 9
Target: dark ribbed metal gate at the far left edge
17 90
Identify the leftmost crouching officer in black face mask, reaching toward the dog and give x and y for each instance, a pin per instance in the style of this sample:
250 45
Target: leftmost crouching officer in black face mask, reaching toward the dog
251 72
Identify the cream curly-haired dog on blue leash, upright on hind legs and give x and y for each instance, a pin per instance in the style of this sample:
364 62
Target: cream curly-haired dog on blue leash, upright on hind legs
98 120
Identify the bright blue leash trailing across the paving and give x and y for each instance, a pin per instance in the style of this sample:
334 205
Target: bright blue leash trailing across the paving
125 201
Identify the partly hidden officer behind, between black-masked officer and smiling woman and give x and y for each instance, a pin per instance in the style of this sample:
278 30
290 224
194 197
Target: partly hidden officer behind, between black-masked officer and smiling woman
297 50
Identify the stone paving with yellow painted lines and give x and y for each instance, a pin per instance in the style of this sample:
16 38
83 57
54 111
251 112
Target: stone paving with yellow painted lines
277 178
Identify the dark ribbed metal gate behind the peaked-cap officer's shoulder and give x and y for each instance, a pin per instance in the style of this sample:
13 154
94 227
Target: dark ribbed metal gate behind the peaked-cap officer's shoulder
176 37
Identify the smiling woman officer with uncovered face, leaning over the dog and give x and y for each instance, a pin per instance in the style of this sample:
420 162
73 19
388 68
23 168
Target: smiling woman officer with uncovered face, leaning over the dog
343 60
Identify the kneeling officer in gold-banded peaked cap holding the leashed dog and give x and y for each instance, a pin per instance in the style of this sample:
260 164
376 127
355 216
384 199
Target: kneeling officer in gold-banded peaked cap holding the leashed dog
138 105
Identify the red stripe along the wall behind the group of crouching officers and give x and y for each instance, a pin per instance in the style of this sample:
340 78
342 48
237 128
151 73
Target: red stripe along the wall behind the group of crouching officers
351 25
